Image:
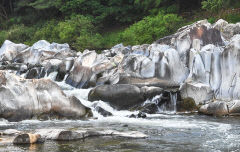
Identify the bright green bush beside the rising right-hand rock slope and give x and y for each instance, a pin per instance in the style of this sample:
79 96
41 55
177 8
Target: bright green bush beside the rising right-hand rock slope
151 28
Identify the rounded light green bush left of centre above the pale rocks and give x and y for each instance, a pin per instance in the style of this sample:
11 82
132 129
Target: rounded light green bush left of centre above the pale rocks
78 31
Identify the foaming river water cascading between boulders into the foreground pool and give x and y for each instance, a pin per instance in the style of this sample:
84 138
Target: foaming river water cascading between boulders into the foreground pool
168 131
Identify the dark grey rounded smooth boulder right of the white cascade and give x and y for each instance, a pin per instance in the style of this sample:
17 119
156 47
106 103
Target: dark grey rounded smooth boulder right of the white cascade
121 96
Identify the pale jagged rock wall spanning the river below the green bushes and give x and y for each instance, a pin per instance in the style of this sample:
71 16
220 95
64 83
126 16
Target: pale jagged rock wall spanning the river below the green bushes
201 59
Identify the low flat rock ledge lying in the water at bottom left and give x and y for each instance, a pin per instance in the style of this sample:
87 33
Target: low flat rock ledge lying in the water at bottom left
39 136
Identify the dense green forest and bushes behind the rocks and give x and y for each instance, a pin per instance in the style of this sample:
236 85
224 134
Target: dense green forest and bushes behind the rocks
99 24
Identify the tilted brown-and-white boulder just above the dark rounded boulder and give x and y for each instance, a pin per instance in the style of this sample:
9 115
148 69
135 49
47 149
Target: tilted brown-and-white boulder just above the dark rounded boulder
89 66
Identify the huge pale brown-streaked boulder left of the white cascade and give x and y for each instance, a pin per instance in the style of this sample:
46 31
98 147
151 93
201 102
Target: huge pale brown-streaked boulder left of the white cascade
23 99
